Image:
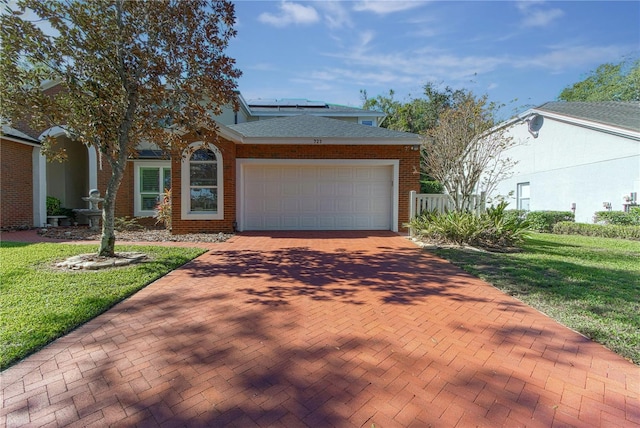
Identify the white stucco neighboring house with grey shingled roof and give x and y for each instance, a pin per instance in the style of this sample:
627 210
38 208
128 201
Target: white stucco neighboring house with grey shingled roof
580 156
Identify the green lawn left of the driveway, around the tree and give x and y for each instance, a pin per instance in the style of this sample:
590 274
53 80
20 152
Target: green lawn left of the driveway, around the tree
40 304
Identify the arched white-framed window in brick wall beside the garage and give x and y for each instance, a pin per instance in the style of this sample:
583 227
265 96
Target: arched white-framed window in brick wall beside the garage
202 183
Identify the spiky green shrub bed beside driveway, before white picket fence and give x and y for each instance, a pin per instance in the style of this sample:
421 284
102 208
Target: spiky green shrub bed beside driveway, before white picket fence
492 229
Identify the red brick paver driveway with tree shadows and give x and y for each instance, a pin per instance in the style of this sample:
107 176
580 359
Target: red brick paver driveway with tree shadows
347 330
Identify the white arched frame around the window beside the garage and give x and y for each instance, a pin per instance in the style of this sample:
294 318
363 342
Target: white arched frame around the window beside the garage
186 213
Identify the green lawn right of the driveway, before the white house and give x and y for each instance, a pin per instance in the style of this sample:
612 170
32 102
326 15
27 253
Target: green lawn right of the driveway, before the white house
589 284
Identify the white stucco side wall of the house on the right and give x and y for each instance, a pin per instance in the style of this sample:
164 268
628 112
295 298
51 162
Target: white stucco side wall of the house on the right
569 164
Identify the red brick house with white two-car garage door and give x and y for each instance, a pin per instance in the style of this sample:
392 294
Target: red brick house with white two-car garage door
276 165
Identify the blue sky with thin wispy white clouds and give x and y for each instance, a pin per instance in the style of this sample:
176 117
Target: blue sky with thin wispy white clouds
524 51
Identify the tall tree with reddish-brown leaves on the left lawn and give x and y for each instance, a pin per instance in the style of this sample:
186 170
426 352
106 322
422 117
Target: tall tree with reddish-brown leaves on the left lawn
130 71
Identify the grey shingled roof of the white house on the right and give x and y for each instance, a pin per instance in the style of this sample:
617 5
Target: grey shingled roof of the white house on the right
613 113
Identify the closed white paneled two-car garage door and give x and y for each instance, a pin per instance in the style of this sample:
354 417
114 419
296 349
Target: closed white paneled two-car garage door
313 197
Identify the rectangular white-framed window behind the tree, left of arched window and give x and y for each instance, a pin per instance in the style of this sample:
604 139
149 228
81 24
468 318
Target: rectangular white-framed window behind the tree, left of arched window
151 179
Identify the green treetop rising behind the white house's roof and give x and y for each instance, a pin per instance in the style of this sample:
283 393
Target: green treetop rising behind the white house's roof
609 82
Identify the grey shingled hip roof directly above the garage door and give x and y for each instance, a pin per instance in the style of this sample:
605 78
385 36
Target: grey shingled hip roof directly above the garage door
303 129
